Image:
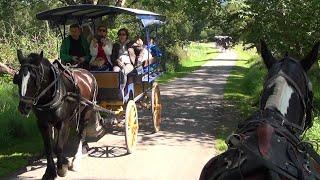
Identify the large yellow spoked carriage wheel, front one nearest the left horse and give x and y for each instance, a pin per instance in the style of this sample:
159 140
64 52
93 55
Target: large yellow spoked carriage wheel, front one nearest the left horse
132 126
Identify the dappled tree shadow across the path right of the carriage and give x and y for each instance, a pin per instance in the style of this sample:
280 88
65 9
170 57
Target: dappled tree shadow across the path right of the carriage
193 109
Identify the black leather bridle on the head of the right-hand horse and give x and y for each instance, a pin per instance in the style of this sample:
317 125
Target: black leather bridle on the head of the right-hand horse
306 100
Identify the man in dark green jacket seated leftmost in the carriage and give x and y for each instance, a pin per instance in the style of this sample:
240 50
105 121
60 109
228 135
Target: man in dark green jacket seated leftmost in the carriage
75 49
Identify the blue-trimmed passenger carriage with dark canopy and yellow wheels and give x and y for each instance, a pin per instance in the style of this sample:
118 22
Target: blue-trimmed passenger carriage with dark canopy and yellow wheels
139 82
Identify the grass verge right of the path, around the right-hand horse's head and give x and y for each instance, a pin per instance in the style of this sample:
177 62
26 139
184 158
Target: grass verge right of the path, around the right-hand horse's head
243 91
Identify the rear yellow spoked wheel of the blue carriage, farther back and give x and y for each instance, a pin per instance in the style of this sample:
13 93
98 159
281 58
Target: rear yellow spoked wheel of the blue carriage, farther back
156 107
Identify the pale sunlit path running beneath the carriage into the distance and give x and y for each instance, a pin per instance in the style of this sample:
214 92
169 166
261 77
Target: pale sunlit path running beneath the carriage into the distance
192 111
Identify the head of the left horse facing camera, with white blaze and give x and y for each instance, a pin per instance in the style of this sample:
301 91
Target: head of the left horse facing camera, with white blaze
31 78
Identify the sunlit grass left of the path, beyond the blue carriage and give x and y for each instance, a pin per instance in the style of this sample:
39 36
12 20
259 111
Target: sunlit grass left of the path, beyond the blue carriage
192 59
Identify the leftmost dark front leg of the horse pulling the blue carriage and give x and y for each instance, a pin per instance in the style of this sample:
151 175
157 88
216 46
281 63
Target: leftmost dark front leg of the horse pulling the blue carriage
51 168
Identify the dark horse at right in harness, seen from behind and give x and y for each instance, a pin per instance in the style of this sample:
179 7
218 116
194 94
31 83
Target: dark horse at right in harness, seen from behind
268 144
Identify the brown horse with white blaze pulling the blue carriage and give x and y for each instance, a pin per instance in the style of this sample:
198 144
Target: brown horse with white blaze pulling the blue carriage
55 96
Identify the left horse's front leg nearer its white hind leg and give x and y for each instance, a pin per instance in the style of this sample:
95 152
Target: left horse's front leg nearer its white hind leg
62 162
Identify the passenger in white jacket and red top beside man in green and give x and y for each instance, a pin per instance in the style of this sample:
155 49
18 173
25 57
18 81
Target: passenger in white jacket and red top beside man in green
100 50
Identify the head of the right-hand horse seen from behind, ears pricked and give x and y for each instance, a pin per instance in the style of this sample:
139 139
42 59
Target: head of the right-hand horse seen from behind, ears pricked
287 88
